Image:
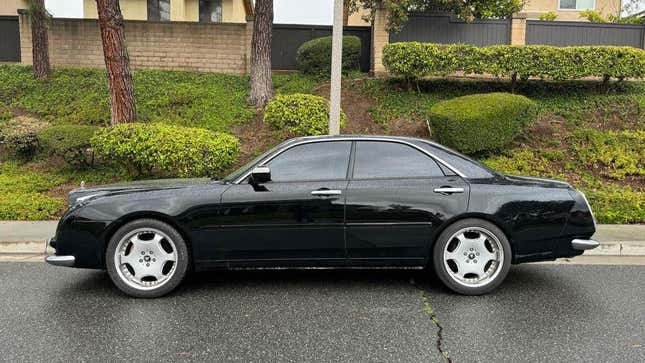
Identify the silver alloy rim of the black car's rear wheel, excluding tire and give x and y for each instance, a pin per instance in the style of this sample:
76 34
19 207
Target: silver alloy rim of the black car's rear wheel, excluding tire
473 257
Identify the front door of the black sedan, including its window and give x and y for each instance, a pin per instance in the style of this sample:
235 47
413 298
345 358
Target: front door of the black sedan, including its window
297 216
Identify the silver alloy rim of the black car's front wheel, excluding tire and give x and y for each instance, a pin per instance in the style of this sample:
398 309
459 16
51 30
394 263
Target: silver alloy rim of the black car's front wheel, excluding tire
145 258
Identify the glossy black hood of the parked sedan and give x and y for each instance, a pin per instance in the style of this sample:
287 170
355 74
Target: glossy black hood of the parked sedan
83 194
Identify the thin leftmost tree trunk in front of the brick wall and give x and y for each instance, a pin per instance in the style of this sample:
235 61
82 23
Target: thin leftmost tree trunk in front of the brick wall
39 39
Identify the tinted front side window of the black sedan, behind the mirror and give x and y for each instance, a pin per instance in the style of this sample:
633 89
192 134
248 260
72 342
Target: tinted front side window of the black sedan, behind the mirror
314 161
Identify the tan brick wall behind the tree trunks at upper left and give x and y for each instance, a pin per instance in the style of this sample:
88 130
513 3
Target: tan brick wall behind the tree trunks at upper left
223 48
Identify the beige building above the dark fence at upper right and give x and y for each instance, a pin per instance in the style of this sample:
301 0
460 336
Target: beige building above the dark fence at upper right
570 9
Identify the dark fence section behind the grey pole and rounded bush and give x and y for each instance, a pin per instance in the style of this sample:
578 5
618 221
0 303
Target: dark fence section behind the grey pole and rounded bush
288 38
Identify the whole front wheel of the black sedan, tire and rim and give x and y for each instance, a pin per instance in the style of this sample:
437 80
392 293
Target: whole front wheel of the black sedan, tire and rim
147 258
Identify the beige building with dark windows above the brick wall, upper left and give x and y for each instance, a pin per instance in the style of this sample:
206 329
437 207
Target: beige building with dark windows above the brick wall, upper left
203 11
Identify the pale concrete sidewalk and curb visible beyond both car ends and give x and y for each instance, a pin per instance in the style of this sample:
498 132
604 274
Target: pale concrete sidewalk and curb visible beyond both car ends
26 240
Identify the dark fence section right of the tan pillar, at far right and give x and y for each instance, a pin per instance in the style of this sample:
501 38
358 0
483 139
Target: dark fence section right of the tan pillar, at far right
565 33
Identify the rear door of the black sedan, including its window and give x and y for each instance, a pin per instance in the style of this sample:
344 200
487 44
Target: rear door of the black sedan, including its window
396 199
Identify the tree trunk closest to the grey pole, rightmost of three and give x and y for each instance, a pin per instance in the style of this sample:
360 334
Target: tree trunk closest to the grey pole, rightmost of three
261 85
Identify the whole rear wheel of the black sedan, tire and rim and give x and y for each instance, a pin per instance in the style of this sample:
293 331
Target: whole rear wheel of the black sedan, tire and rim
472 257
